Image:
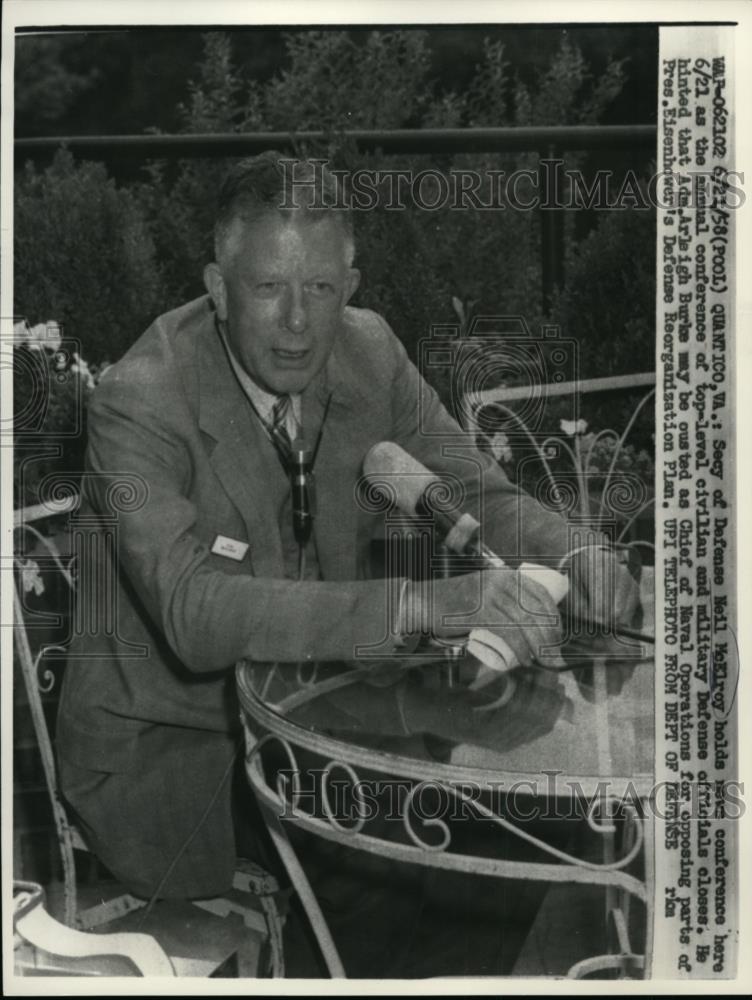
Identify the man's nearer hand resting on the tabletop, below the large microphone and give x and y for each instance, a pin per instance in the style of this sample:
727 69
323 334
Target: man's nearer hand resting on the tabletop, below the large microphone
502 600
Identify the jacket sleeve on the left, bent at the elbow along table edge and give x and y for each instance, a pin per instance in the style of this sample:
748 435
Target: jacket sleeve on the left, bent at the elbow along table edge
210 618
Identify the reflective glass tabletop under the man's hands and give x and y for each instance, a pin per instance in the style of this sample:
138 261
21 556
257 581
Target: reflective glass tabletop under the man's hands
589 721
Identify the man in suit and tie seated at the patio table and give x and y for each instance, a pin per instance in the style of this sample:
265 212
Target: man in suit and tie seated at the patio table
195 419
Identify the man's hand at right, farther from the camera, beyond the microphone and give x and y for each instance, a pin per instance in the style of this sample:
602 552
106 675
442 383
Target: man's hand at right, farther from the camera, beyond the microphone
603 589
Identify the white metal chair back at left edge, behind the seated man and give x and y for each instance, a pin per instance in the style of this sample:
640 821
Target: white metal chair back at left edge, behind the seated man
43 584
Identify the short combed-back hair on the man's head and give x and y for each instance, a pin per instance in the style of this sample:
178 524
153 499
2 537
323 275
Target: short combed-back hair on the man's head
274 182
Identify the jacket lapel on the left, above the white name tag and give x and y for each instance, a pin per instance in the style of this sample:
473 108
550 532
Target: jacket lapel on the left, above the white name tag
243 458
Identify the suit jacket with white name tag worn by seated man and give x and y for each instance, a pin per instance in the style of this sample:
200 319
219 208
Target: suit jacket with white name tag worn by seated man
171 423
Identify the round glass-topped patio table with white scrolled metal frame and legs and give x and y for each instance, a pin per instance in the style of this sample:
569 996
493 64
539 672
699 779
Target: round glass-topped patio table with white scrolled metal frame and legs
578 743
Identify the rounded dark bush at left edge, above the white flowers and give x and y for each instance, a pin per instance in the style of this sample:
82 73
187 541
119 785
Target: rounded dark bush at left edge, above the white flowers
84 255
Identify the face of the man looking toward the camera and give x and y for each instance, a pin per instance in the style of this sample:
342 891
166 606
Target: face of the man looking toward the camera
282 294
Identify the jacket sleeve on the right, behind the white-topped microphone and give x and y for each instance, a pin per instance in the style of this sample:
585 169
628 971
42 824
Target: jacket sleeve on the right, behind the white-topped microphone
513 524
